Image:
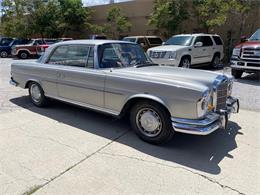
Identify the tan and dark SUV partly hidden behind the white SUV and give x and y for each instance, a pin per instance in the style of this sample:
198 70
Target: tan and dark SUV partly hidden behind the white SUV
146 42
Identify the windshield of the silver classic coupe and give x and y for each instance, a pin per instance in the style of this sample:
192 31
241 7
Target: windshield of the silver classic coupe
118 55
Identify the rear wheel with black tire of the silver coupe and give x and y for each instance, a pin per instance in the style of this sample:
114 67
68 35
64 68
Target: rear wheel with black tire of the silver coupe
40 101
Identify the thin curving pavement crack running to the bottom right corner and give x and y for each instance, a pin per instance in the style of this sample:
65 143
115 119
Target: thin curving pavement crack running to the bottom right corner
176 167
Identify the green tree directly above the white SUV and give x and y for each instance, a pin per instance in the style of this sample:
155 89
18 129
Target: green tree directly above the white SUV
169 14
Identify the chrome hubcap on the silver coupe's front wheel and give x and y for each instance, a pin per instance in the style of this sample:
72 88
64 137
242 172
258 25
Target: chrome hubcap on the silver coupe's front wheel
149 122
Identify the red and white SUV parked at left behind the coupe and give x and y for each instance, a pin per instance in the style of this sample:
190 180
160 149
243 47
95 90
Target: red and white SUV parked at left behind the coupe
33 48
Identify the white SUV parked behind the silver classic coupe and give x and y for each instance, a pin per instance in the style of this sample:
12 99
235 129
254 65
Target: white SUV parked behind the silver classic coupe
189 49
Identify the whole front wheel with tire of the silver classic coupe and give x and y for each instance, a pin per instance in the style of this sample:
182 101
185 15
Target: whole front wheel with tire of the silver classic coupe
151 122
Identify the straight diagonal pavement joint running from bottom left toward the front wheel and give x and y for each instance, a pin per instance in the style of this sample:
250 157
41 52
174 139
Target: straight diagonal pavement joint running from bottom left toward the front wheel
38 187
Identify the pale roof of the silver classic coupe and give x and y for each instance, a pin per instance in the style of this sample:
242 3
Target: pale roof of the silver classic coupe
91 42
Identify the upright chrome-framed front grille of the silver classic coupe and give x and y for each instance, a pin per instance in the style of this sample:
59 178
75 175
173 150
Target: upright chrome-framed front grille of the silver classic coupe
222 95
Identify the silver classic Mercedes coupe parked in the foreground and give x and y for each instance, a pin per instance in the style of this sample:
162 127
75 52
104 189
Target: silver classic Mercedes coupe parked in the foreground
117 78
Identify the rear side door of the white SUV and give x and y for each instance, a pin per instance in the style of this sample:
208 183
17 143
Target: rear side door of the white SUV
202 53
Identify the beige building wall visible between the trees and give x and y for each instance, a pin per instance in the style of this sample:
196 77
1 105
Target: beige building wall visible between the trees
139 11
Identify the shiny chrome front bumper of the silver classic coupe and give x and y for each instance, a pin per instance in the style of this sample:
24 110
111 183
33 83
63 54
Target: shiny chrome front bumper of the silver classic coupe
210 123
